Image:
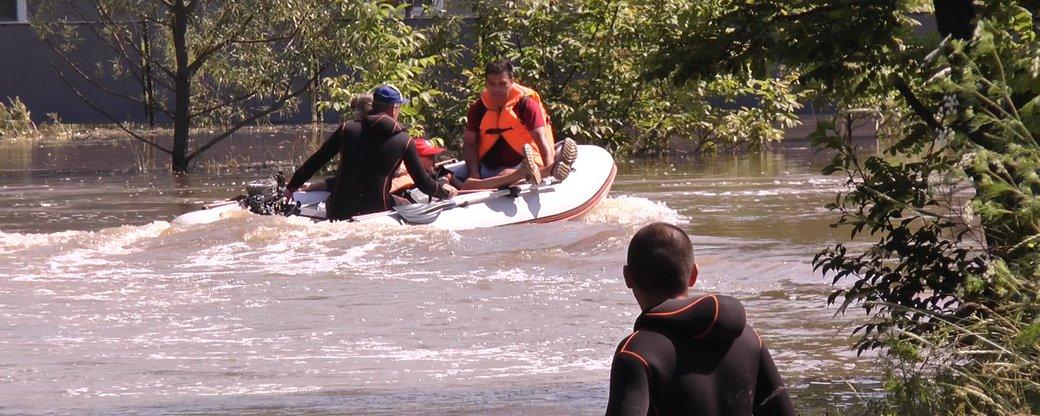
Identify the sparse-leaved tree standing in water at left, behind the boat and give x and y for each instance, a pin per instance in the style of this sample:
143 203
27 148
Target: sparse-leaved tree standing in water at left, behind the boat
226 64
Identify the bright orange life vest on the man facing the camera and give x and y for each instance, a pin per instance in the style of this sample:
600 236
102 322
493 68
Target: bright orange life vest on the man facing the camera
503 124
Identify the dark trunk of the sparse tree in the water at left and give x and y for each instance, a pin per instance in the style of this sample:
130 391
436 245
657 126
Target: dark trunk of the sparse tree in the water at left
183 89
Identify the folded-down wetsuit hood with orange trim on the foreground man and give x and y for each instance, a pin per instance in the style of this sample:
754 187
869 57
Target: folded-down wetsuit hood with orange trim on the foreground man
714 319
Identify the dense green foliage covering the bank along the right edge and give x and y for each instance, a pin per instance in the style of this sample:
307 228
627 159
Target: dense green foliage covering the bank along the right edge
951 280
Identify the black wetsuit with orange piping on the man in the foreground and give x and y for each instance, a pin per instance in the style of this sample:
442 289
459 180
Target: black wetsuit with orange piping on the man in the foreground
696 356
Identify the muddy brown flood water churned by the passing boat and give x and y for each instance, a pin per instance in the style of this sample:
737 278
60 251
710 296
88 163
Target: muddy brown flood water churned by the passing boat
108 308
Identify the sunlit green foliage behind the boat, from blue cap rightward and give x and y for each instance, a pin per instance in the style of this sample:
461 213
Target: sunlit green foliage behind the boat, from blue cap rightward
588 60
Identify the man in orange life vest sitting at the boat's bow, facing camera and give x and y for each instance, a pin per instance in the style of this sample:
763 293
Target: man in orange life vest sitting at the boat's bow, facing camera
506 126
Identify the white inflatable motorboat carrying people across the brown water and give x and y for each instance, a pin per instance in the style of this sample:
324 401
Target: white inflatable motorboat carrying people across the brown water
549 201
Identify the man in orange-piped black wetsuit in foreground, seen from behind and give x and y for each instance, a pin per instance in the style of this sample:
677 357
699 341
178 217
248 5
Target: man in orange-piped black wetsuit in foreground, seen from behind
689 355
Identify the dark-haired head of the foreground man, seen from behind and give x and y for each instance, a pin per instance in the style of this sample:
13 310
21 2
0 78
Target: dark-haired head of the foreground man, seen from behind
661 259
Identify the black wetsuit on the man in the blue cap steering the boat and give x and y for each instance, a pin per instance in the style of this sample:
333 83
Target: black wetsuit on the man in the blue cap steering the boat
370 152
